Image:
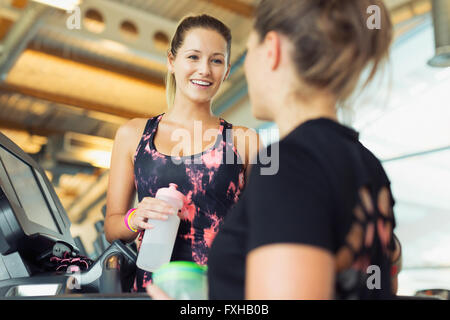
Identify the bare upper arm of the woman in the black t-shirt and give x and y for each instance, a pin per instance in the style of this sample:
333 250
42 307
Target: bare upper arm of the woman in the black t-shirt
289 272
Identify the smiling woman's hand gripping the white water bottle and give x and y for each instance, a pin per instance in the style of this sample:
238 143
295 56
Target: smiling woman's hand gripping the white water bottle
151 208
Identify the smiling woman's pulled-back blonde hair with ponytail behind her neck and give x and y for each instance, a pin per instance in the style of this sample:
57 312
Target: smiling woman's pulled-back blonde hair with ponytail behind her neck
187 24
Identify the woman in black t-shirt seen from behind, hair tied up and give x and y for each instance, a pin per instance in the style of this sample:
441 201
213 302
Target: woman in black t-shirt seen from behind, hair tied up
322 227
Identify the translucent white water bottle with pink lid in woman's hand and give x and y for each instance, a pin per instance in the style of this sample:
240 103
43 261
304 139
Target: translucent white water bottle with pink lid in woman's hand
157 243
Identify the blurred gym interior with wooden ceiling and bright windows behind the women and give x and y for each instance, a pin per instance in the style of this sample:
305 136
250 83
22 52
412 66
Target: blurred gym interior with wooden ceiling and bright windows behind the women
73 71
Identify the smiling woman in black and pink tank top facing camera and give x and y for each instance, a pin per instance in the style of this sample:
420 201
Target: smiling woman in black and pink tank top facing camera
187 146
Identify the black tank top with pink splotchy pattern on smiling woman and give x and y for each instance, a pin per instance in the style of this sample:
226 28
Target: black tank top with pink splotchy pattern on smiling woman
212 182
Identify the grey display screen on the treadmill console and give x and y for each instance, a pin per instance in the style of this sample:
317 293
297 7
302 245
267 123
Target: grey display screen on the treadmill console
28 191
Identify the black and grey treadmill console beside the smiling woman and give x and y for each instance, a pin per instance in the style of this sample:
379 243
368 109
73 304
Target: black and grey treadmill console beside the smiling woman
35 230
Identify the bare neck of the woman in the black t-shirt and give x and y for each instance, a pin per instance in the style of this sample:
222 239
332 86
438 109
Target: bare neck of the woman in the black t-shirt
294 112
